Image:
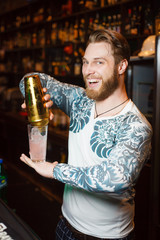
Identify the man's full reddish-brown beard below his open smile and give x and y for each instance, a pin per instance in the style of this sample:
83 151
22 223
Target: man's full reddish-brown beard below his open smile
106 89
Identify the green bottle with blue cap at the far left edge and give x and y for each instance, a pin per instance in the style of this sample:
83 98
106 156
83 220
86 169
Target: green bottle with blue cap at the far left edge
3 182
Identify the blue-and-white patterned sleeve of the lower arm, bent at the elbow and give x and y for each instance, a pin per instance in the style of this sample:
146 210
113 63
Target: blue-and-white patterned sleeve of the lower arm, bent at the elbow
121 167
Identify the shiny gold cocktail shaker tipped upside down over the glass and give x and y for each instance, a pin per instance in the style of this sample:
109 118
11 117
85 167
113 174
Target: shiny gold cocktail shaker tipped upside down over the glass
38 114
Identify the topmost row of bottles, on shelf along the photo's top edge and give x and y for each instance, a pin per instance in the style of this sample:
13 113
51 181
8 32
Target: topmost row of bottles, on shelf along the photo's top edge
51 12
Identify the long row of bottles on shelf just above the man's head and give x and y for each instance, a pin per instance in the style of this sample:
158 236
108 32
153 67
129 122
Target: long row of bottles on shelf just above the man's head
77 31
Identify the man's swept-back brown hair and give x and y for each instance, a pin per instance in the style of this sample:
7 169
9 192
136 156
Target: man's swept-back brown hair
119 44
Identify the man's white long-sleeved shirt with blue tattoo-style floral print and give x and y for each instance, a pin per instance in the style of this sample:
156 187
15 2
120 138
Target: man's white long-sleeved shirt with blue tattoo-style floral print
106 156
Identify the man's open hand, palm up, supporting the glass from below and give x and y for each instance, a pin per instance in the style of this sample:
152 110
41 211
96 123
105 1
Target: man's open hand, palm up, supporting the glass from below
45 169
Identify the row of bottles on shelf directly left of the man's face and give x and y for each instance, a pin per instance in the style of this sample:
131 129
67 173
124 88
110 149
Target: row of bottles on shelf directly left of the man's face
60 61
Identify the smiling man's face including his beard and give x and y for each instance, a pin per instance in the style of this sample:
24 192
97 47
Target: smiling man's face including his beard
99 71
